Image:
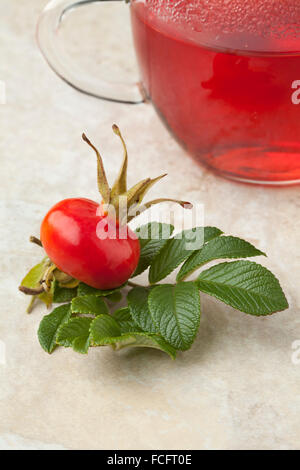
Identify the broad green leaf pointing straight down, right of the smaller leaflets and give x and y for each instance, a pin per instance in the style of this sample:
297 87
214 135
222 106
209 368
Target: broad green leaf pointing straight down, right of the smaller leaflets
175 310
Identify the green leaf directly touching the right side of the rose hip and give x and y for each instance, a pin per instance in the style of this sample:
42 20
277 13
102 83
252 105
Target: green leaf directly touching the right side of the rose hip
153 237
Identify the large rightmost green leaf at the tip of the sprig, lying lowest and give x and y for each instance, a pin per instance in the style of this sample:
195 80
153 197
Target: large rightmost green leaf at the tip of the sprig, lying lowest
245 285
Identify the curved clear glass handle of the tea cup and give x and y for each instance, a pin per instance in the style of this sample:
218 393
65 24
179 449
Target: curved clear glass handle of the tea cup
48 25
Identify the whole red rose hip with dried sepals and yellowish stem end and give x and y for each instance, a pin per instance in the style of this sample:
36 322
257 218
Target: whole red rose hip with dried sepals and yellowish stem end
90 241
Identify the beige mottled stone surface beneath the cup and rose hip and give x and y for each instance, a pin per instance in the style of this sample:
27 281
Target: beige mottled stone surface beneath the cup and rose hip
237 388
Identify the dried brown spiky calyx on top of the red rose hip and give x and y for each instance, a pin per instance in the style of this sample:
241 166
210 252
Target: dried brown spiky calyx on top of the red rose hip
126 203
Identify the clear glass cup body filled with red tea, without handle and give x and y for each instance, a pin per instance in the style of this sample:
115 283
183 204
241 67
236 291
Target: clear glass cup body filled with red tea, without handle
227 94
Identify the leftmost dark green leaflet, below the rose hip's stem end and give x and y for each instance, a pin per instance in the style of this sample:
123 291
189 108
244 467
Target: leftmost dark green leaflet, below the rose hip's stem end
49 326
